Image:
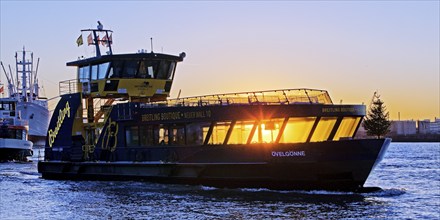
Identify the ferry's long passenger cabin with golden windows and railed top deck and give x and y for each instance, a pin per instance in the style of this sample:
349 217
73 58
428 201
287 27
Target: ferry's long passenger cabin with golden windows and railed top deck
283 116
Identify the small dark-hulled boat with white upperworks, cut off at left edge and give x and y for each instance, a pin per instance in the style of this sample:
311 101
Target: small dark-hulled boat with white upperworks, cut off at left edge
14 144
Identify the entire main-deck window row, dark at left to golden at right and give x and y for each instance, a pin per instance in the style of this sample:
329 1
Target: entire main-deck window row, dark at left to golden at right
296 130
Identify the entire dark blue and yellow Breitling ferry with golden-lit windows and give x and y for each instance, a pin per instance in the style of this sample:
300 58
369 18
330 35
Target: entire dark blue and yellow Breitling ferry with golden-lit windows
118 124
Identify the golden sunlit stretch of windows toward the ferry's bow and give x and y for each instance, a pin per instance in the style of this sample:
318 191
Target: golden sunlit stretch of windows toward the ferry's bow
296 130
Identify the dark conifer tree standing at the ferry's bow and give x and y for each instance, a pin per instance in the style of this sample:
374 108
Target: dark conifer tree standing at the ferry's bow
377 119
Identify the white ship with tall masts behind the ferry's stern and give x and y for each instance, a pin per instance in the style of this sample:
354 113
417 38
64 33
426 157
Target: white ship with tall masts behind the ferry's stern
25 89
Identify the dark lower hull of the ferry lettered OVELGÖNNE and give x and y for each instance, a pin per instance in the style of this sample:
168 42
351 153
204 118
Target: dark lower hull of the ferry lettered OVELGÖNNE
342 165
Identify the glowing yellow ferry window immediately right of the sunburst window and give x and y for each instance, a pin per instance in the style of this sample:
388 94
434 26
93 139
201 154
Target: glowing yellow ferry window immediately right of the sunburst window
297 130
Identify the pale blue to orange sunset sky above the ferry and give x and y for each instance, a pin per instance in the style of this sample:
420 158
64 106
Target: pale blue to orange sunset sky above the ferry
351 49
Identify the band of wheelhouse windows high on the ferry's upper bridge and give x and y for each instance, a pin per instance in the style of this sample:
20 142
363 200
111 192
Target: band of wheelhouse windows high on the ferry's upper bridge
157 69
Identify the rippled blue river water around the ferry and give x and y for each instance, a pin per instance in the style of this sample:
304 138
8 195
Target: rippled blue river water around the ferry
409 176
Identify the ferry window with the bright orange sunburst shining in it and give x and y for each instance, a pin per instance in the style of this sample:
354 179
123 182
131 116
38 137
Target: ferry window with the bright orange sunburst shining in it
267 131
